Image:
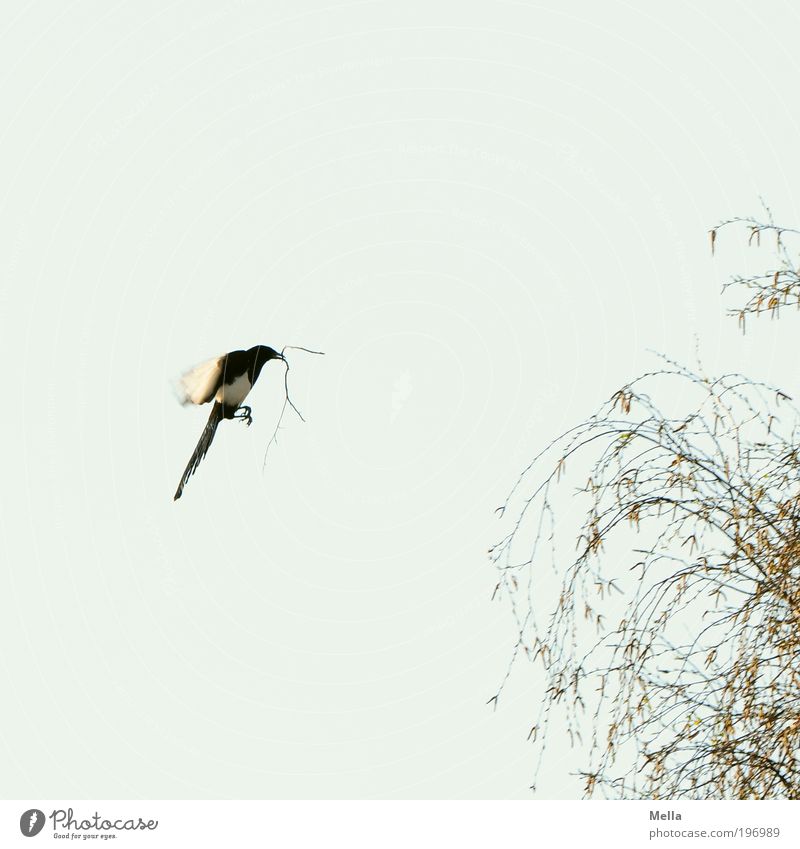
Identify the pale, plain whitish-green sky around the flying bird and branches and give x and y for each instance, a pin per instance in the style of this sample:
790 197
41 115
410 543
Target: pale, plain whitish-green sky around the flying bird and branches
485 213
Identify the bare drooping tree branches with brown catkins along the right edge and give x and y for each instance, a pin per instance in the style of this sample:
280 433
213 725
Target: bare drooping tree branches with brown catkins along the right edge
672 635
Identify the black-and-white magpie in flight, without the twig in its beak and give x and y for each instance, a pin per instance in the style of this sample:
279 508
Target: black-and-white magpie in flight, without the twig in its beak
227 380
